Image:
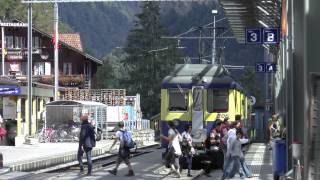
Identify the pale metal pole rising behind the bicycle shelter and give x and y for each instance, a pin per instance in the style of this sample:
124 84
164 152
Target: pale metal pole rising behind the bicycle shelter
56 55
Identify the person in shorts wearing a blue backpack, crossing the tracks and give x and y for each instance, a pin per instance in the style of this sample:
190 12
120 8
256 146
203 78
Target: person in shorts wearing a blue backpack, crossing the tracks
124 149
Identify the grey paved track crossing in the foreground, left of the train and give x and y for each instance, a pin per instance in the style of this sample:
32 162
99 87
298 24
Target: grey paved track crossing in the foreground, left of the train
147 166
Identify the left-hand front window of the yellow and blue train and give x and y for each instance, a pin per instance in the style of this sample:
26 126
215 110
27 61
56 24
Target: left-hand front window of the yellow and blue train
178 100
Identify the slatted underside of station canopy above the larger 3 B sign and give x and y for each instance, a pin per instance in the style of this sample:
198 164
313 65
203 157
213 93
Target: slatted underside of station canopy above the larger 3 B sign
243 14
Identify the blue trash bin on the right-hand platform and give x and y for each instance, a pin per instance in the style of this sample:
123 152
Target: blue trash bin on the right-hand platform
279 157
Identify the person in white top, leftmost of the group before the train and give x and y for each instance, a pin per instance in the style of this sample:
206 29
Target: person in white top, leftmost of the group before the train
174 149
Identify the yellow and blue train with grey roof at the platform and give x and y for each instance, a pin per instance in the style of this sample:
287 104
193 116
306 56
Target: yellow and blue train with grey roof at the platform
199 94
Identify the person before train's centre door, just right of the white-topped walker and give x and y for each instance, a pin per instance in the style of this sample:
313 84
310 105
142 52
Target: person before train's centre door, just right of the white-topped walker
187 149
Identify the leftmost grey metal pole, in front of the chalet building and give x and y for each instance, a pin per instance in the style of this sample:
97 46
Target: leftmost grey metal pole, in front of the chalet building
30 67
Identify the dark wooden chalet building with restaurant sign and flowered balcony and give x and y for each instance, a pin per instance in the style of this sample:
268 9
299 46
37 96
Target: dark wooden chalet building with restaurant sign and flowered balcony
76 69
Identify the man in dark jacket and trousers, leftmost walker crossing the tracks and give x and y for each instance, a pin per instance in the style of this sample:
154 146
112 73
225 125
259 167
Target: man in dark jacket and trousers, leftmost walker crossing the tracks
86 143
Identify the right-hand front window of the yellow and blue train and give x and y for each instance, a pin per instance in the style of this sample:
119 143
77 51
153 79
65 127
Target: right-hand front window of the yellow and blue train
218 100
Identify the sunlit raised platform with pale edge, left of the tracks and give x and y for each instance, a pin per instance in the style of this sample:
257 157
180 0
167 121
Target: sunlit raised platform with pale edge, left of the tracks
45 155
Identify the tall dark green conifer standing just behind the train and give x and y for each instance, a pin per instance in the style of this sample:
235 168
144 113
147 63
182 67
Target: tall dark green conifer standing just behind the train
150 58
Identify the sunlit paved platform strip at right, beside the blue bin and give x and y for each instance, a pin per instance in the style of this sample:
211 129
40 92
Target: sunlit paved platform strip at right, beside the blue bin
259 160
